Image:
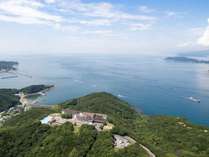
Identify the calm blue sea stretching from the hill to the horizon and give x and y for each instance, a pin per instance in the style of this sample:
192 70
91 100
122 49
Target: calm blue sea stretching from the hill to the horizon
152 85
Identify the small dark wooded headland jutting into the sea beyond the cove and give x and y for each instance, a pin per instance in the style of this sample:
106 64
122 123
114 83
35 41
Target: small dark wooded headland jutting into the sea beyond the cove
35 89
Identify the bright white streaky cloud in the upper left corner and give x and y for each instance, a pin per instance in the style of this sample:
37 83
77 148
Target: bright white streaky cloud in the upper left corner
26 12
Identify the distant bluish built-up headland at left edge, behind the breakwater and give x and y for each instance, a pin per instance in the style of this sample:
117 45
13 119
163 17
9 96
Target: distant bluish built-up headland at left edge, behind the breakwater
7 66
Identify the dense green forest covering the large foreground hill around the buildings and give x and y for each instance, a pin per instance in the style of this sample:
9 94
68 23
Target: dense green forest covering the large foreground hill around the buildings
24 136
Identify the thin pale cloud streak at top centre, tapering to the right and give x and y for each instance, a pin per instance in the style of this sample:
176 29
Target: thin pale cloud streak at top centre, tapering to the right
100 10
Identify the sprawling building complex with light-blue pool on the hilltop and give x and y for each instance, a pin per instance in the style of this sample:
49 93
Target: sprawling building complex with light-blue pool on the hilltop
77 118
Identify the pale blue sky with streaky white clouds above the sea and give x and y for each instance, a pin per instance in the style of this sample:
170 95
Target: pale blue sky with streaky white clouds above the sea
152 27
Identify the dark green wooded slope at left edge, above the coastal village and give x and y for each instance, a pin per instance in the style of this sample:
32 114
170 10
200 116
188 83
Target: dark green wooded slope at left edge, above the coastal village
8 99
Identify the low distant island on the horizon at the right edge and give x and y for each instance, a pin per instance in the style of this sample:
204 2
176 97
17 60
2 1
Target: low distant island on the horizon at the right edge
187 59
